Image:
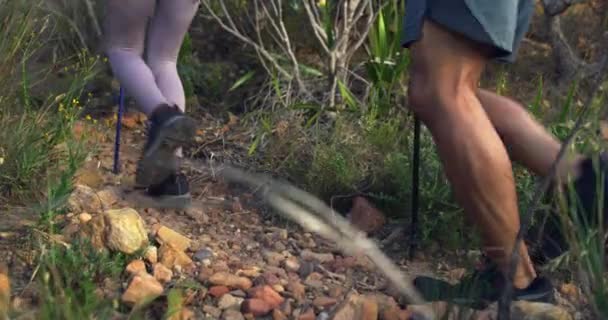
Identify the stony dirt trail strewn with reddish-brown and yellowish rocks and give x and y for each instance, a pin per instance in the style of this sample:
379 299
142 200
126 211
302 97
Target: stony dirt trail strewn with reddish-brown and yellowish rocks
232 259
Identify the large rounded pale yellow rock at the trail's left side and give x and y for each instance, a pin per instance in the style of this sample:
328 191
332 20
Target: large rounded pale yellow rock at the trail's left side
125 230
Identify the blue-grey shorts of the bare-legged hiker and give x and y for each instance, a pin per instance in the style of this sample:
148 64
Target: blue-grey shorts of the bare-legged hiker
500 24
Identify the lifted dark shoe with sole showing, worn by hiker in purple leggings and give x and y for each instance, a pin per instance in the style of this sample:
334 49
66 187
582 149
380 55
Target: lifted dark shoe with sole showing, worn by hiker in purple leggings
169 129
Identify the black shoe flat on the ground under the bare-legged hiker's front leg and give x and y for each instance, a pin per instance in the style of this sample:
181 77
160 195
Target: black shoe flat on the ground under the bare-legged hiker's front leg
480 289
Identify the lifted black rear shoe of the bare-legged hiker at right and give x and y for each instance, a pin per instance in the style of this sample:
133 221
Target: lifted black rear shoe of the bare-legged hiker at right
548 241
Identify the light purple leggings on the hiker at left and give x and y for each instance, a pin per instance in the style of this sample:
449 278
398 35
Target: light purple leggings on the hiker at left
153 81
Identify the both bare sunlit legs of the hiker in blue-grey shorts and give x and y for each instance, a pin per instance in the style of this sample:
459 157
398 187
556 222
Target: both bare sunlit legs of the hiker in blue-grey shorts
477 133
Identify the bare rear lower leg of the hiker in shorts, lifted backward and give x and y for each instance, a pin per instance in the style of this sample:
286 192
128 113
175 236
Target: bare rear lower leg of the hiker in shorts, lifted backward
527 141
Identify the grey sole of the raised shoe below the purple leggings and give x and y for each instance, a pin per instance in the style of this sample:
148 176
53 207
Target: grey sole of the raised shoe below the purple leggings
160 161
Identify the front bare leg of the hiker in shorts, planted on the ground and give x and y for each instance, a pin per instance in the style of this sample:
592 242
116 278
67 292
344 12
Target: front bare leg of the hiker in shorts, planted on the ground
443 93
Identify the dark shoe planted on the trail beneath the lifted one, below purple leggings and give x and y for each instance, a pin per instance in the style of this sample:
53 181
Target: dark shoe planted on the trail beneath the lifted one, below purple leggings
173 192
